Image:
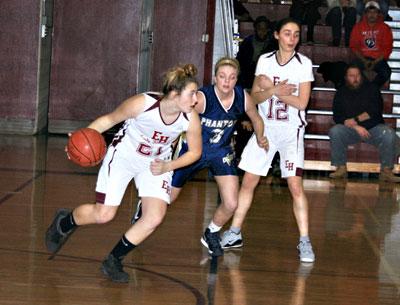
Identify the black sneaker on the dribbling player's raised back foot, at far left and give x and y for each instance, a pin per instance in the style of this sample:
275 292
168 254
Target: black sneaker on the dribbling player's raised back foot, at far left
55 238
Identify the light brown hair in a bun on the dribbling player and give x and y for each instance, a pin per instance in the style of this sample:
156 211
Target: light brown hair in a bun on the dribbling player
178 77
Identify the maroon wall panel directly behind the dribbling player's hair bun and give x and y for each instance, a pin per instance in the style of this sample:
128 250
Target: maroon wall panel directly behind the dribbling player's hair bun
178 26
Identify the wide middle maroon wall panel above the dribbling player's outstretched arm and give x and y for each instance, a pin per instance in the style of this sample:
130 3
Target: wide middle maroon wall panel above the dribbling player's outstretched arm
95 57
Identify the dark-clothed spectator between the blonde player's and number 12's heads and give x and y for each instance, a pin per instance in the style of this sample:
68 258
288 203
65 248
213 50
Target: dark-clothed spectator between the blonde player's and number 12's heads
262 41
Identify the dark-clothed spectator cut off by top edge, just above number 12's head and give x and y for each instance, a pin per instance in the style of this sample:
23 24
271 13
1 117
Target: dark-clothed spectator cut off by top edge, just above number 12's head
306 12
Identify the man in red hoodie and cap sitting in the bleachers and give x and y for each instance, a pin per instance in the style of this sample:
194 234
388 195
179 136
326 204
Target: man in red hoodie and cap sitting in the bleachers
371 41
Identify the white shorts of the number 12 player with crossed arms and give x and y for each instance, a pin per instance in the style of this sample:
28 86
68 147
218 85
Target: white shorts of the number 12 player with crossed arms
289 142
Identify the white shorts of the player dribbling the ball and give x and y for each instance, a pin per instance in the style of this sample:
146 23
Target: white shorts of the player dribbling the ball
117 171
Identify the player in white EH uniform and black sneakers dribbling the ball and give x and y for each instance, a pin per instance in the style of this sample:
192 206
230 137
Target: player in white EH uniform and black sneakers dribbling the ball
140 150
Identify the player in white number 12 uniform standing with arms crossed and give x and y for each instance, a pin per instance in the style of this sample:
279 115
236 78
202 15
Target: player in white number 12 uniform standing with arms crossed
282 90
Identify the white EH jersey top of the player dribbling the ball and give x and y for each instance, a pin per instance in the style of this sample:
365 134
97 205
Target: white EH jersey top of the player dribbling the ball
147 136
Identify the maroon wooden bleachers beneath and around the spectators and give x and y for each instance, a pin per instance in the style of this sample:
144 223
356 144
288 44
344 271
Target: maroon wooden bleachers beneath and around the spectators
361 157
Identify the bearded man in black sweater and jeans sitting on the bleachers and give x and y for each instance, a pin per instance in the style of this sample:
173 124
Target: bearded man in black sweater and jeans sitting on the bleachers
357 112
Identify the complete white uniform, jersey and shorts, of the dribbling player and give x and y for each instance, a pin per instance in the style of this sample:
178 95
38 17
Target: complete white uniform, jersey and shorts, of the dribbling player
137 143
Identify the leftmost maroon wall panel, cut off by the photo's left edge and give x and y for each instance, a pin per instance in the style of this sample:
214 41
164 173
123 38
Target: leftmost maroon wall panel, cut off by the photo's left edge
19 46
